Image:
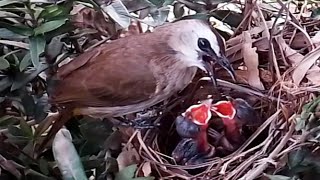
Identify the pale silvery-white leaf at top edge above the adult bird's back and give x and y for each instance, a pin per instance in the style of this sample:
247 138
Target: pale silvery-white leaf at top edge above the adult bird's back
118 12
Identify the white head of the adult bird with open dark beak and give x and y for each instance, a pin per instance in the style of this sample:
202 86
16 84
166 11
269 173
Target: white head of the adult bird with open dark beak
198 44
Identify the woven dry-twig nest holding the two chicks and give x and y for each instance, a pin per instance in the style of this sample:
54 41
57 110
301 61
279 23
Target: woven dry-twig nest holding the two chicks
267 145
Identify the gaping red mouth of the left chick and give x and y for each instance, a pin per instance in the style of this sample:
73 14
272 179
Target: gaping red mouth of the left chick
199 114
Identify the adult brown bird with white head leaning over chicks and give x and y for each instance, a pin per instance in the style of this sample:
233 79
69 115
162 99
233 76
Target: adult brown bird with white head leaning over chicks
133 73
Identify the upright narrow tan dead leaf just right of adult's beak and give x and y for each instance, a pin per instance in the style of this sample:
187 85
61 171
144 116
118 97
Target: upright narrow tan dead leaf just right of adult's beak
251 60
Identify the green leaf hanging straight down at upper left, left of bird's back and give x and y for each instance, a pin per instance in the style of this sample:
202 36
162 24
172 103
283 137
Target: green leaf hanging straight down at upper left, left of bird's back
37 46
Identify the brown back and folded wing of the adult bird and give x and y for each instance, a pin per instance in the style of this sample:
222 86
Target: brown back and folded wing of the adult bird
101 78
